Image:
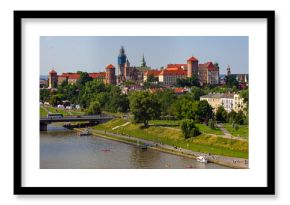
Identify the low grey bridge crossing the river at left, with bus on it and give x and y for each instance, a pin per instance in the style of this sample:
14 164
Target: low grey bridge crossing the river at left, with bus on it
80 118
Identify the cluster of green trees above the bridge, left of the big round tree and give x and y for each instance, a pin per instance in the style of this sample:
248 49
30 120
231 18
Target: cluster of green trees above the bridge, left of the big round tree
90 94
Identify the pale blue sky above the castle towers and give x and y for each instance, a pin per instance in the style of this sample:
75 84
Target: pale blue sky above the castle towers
94 53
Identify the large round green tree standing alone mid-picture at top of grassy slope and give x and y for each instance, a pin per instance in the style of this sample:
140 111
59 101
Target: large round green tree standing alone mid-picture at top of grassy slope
144 107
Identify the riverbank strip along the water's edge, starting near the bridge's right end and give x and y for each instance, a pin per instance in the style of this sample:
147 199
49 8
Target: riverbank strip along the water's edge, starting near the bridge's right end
233 162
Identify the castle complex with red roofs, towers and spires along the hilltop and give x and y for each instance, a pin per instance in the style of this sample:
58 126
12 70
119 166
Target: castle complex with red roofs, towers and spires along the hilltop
206 73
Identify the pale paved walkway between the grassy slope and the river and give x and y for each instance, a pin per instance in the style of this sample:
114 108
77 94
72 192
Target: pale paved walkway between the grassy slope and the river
223 160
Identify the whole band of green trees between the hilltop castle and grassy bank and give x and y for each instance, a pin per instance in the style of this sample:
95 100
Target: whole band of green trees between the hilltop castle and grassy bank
94 97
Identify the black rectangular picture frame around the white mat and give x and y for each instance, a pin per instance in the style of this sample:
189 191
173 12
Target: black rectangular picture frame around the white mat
19 189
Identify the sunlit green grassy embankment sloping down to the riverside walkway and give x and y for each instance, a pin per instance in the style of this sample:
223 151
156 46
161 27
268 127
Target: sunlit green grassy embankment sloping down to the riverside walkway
168 132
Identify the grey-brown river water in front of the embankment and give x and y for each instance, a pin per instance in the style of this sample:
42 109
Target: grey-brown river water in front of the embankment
63 149
